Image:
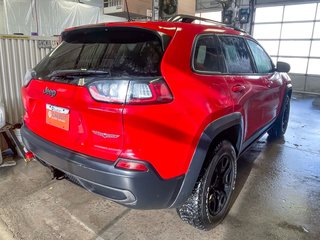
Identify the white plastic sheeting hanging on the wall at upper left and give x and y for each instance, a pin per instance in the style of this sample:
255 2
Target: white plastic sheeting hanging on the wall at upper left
50 17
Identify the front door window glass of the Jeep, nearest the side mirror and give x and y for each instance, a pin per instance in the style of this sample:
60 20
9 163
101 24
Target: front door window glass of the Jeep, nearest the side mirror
261 58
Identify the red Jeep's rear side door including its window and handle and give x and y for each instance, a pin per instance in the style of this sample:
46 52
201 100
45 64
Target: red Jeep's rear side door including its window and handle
247 89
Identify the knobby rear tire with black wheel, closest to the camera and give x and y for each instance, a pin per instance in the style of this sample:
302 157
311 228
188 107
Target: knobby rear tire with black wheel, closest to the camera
210 200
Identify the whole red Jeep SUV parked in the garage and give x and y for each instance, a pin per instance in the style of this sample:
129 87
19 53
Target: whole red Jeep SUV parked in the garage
155 114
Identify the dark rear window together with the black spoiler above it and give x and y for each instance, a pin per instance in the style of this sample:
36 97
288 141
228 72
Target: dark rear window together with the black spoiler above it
119 51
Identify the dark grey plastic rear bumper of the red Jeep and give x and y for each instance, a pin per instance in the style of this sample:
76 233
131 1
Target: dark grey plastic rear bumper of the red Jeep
141 190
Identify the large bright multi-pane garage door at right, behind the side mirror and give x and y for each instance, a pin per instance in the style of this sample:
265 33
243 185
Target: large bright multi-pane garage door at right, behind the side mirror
291 33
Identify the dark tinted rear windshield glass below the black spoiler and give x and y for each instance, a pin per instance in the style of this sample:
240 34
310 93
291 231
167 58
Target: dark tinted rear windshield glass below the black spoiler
138 59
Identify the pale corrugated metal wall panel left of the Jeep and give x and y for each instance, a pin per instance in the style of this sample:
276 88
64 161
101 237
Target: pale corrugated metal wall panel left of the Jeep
17 54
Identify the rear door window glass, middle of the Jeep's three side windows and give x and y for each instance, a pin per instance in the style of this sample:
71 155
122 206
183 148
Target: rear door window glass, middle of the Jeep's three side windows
236 54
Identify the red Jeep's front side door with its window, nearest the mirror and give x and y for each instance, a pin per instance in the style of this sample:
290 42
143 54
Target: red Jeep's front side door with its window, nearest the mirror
270 78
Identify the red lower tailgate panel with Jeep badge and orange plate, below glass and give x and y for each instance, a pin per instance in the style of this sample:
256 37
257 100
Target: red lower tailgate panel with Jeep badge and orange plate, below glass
90 127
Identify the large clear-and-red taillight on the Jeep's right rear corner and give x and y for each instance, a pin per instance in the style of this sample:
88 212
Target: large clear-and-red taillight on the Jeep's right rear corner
131 92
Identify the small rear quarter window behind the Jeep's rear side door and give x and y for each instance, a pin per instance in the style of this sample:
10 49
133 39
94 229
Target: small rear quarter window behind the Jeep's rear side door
207 56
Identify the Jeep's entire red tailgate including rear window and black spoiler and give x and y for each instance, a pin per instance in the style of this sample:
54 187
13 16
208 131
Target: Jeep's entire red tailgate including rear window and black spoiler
59 106
